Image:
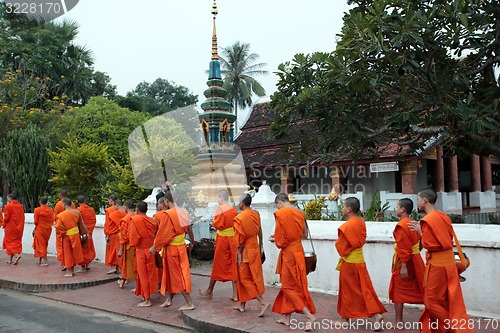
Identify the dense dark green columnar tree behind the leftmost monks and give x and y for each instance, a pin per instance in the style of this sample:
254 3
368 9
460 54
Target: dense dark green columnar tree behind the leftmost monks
25 164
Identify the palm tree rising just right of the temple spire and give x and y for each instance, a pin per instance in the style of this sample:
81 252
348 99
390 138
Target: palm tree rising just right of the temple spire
239 67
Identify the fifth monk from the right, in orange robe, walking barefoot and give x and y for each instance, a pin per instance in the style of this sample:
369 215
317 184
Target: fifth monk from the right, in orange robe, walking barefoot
249 277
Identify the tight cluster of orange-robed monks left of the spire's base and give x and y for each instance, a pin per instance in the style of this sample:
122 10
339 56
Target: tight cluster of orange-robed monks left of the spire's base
150 250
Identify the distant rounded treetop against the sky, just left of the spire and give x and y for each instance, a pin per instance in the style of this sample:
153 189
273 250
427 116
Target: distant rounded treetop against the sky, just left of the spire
157 97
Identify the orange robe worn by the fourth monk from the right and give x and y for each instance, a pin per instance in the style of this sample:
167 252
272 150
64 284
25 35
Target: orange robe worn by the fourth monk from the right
294 294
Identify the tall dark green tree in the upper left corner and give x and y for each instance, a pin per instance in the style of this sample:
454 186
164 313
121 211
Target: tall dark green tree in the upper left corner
48 50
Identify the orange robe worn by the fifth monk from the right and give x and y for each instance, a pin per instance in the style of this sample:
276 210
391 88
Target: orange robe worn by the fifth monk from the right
249 278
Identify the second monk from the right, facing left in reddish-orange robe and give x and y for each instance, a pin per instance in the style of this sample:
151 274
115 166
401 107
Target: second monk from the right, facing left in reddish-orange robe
407 278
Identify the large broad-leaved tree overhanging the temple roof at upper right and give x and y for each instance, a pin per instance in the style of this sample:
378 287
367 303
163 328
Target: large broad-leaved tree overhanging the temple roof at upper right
404 73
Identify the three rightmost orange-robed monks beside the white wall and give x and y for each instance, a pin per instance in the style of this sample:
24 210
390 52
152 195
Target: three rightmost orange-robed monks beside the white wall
435 284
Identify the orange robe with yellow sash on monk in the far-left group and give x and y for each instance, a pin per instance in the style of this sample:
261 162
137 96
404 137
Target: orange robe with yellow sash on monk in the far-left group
67 228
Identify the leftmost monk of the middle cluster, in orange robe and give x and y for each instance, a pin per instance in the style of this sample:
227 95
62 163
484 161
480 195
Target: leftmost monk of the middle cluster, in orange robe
111 231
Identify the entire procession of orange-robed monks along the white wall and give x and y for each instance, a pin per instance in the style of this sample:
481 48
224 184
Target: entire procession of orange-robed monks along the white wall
153 251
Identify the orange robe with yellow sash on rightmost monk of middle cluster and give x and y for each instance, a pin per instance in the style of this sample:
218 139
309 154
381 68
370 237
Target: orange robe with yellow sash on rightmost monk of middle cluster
176 276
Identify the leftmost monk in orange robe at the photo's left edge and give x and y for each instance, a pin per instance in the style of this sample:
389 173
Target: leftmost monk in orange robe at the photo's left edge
13 223
